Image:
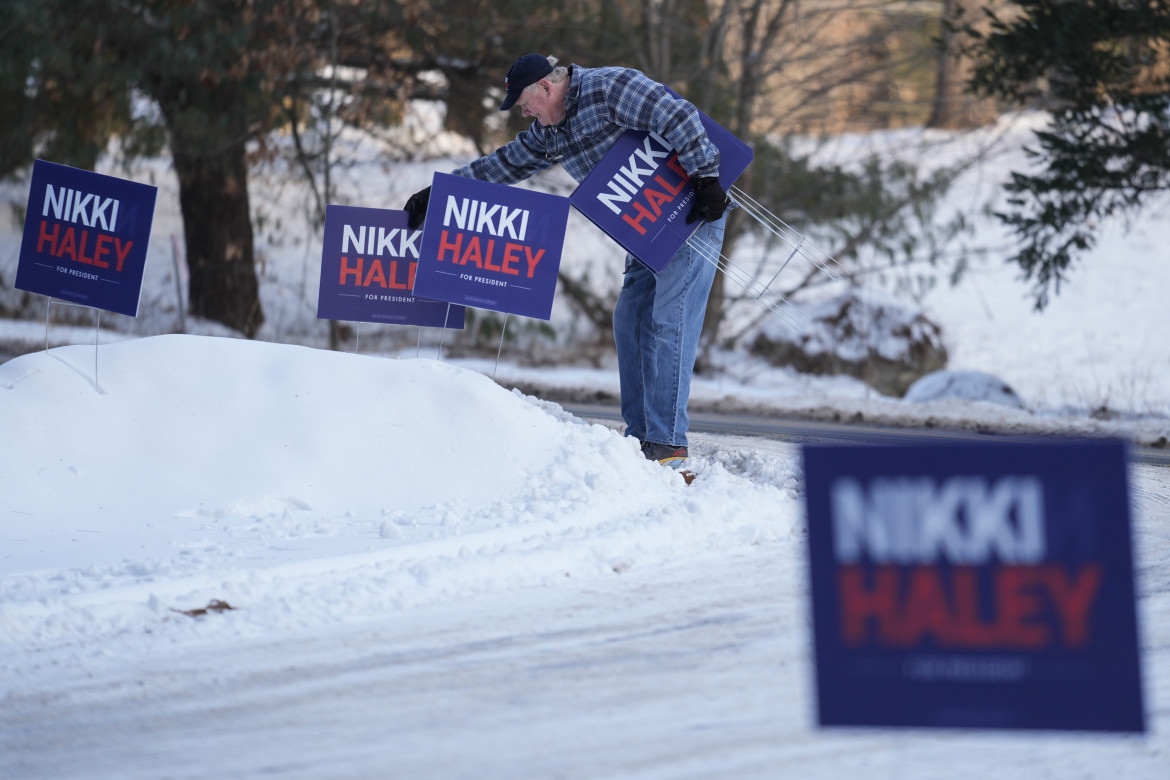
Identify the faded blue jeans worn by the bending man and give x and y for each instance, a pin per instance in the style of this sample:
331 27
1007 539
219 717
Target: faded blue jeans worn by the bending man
657 325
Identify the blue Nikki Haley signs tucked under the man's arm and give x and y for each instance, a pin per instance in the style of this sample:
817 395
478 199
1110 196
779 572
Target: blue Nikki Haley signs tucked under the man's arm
641 197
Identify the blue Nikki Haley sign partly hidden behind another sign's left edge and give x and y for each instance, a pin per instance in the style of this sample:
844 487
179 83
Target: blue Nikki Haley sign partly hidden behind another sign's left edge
368 266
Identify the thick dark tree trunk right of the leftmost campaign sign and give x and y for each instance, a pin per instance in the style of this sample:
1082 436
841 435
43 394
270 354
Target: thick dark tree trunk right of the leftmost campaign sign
211 162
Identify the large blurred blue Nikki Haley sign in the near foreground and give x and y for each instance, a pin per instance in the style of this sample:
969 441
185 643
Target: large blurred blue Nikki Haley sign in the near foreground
974 586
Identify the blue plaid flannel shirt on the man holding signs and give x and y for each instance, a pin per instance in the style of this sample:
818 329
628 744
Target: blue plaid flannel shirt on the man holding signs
602 103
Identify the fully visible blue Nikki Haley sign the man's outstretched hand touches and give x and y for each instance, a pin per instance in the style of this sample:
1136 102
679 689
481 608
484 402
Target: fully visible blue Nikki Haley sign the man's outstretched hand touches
491 246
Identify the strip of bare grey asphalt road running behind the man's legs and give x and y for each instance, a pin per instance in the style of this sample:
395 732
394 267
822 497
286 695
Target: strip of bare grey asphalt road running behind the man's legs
801 432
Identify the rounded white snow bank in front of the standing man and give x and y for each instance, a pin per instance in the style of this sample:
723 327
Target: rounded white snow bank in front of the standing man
304 487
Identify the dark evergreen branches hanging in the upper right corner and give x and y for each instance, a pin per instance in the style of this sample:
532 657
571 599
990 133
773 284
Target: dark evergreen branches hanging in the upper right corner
1102 68
